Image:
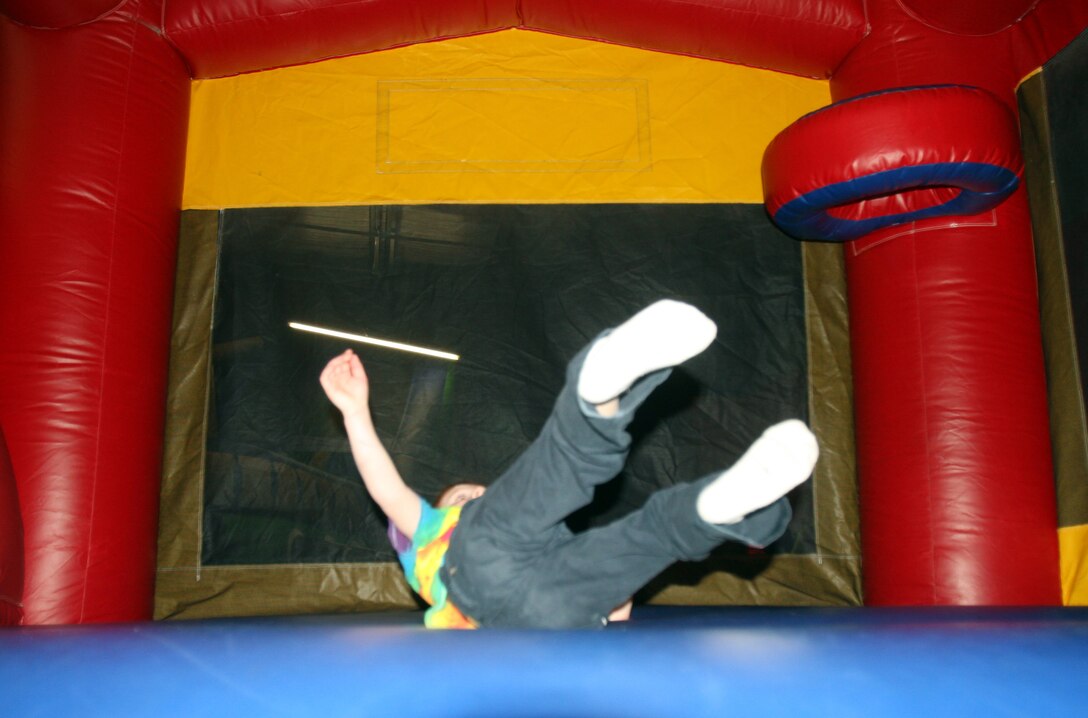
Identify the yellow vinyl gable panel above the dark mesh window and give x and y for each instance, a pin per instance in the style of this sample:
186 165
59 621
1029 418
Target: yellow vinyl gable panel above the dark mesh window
512 117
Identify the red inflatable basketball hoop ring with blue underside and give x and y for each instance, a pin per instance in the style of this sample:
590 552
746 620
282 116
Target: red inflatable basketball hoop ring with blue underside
891 158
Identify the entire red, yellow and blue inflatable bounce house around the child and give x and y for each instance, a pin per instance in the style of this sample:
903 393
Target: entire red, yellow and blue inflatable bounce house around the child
879 202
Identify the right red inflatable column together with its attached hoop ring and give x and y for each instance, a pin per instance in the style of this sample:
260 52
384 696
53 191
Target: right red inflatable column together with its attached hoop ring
958 502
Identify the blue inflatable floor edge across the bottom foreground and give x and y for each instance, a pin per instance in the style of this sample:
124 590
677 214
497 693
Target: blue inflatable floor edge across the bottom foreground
667 662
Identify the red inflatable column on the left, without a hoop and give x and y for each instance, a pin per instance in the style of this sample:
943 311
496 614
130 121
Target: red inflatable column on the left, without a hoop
93 125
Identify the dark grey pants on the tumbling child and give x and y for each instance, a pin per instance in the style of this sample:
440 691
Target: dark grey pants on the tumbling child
514 563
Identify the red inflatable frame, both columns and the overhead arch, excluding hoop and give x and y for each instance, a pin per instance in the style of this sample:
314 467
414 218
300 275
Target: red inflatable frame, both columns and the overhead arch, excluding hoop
953 436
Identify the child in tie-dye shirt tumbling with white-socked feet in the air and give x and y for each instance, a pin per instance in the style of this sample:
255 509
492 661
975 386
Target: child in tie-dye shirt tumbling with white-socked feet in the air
503 556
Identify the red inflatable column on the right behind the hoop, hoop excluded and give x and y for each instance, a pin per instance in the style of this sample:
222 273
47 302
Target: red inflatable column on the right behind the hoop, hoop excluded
958 496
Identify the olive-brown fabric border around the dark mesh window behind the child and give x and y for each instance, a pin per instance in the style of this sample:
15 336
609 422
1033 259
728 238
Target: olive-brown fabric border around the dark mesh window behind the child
186 589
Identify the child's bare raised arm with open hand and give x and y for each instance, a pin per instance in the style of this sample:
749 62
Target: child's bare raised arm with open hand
345 383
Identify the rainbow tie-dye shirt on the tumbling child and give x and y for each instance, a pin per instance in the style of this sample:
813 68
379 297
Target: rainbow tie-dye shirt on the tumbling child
422 560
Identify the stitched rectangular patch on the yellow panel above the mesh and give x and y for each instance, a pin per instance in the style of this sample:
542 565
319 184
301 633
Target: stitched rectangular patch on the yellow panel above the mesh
572 126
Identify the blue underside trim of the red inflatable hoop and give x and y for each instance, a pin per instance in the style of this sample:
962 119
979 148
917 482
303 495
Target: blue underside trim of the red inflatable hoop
983 188
